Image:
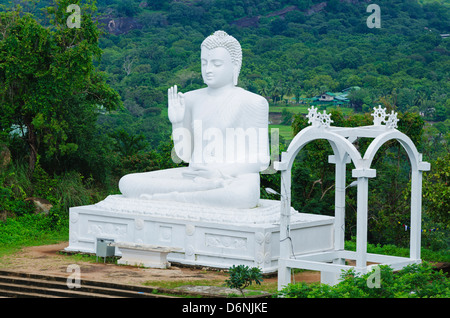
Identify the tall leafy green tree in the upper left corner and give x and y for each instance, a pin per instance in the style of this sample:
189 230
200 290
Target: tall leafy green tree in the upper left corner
49 83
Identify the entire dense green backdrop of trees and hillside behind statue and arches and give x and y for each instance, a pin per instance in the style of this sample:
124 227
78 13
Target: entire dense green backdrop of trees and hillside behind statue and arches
80 108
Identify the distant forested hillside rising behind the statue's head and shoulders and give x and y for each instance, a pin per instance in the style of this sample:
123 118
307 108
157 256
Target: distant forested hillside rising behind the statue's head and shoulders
291 48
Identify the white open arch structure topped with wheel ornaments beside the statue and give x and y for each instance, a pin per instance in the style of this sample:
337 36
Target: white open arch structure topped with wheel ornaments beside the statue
332 262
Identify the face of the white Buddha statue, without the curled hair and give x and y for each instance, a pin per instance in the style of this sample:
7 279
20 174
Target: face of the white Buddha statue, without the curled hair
217 67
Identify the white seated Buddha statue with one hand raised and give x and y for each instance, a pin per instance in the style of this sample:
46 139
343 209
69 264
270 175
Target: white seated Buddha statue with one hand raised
220 130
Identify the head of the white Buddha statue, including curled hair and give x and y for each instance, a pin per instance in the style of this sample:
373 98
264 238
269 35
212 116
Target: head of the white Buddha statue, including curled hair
221 56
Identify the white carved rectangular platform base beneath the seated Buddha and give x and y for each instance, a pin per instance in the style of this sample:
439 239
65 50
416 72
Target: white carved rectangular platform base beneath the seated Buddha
205 236
